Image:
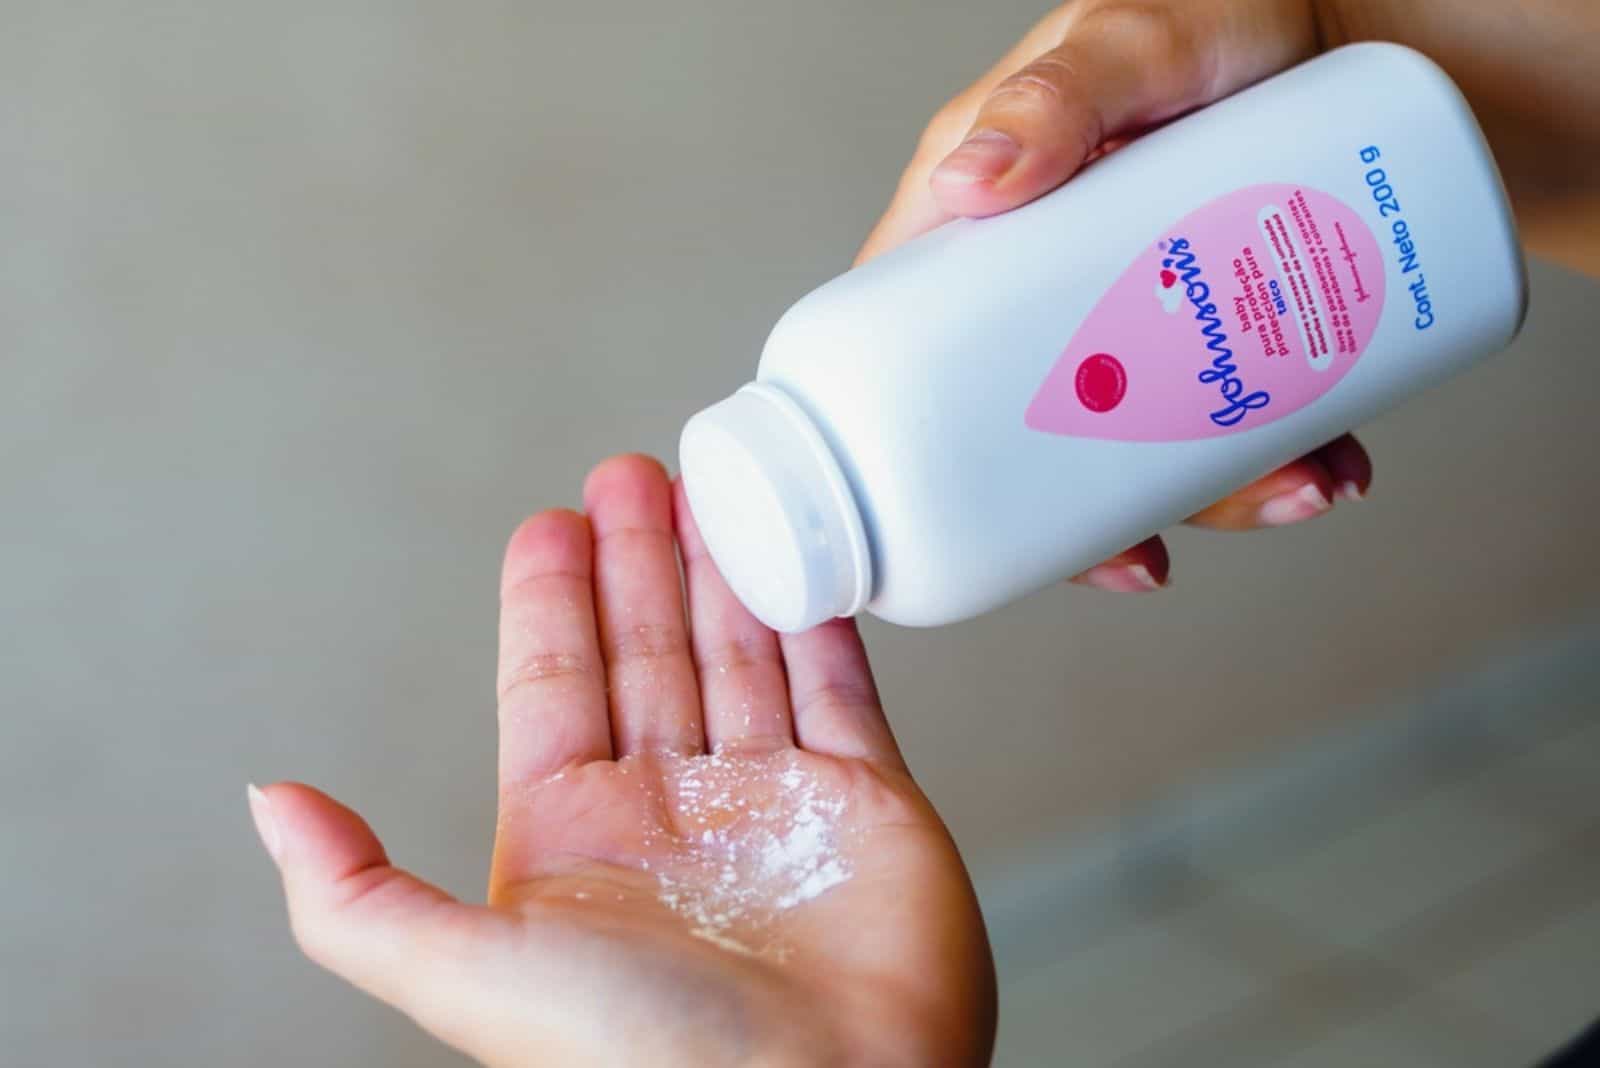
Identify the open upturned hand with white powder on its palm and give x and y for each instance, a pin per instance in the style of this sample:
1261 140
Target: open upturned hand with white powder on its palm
710 850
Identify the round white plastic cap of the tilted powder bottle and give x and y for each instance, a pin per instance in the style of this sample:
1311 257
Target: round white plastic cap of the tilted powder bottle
775 509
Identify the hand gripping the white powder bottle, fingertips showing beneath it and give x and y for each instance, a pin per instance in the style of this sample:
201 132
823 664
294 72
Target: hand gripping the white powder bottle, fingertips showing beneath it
1097 73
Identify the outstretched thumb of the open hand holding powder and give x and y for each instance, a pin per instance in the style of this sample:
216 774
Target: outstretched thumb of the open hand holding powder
364 920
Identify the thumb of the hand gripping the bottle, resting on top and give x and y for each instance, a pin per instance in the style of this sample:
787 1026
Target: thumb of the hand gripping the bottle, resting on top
1121 68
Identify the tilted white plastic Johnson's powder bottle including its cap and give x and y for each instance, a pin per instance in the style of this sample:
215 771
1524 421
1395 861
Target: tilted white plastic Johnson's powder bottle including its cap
1006 402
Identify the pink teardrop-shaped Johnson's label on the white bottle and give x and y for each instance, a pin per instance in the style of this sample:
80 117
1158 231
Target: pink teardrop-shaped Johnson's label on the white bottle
1246 311
